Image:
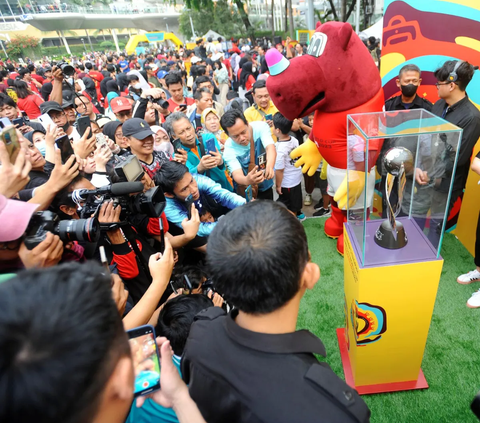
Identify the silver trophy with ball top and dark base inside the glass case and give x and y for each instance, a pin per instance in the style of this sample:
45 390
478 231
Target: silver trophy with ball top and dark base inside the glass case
398 161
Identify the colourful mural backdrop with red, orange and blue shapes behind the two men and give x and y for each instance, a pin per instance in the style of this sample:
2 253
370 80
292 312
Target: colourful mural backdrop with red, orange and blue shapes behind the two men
427 33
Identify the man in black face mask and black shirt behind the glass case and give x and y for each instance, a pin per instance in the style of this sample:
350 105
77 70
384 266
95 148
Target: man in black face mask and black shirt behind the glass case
408 81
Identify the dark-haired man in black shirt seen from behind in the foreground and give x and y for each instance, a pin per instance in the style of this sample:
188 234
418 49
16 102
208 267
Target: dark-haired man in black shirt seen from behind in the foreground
251 365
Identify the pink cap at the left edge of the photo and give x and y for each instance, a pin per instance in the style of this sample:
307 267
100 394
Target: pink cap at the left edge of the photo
14 211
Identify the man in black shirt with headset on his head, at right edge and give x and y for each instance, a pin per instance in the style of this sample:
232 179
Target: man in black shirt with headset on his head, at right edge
455 107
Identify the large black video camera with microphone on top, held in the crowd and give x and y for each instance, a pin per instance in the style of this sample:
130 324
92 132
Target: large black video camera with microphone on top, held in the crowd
150 203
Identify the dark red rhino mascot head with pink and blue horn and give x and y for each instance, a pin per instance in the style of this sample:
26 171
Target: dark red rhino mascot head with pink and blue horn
337 74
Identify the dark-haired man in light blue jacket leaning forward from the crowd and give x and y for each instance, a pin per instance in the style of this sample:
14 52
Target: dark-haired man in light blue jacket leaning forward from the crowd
181 189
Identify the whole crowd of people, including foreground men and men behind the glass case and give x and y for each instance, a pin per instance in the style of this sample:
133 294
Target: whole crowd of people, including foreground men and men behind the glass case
127 188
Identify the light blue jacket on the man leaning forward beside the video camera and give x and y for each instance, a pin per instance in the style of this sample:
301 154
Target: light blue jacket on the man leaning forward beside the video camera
176 211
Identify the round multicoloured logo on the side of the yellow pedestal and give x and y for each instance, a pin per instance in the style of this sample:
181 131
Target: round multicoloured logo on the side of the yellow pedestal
369 322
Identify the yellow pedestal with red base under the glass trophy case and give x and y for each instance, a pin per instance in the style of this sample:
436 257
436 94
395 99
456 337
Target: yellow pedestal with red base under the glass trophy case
387 316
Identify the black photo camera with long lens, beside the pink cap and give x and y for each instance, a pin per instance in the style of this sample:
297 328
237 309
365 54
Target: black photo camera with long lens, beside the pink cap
68 230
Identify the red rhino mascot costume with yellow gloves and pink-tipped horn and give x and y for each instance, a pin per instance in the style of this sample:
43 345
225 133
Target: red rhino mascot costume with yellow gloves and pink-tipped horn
336 77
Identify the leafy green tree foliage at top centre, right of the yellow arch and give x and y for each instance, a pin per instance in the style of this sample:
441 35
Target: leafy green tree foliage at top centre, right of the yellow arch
222 18
